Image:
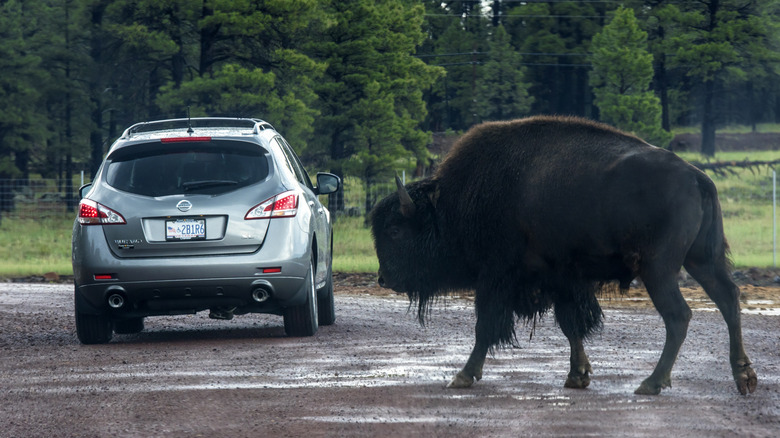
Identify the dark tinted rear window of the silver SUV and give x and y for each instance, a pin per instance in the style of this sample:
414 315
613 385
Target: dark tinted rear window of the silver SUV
205 167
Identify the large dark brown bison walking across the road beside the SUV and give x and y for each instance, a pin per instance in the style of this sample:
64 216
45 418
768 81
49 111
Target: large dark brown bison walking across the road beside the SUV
546 213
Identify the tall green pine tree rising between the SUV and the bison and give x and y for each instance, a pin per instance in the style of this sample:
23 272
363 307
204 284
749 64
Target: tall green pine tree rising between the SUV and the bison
371 97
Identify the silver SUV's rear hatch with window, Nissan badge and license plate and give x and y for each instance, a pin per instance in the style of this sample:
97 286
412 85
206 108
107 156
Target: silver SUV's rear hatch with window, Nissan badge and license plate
186 198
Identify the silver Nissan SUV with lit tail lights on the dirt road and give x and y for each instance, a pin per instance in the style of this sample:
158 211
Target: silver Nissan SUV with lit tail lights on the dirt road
189 215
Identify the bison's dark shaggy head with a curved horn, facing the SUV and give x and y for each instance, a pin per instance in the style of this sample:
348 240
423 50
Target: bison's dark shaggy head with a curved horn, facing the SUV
408 239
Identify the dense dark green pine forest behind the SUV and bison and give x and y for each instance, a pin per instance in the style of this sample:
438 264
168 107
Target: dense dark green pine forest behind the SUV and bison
365 88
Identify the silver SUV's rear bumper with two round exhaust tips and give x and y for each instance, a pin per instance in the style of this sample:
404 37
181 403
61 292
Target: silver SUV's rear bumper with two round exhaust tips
174 285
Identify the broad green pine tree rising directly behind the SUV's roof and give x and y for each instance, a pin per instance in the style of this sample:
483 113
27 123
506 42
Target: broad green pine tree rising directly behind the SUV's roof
251 61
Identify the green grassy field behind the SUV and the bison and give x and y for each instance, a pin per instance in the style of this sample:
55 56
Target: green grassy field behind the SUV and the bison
35 247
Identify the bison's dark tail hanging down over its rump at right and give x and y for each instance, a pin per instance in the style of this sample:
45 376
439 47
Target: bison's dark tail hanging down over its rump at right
710 246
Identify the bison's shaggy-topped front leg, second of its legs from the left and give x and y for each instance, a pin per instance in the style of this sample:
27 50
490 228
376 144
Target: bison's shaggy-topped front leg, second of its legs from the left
578 314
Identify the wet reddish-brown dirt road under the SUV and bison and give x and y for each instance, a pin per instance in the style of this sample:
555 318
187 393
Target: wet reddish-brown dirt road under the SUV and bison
375 373
